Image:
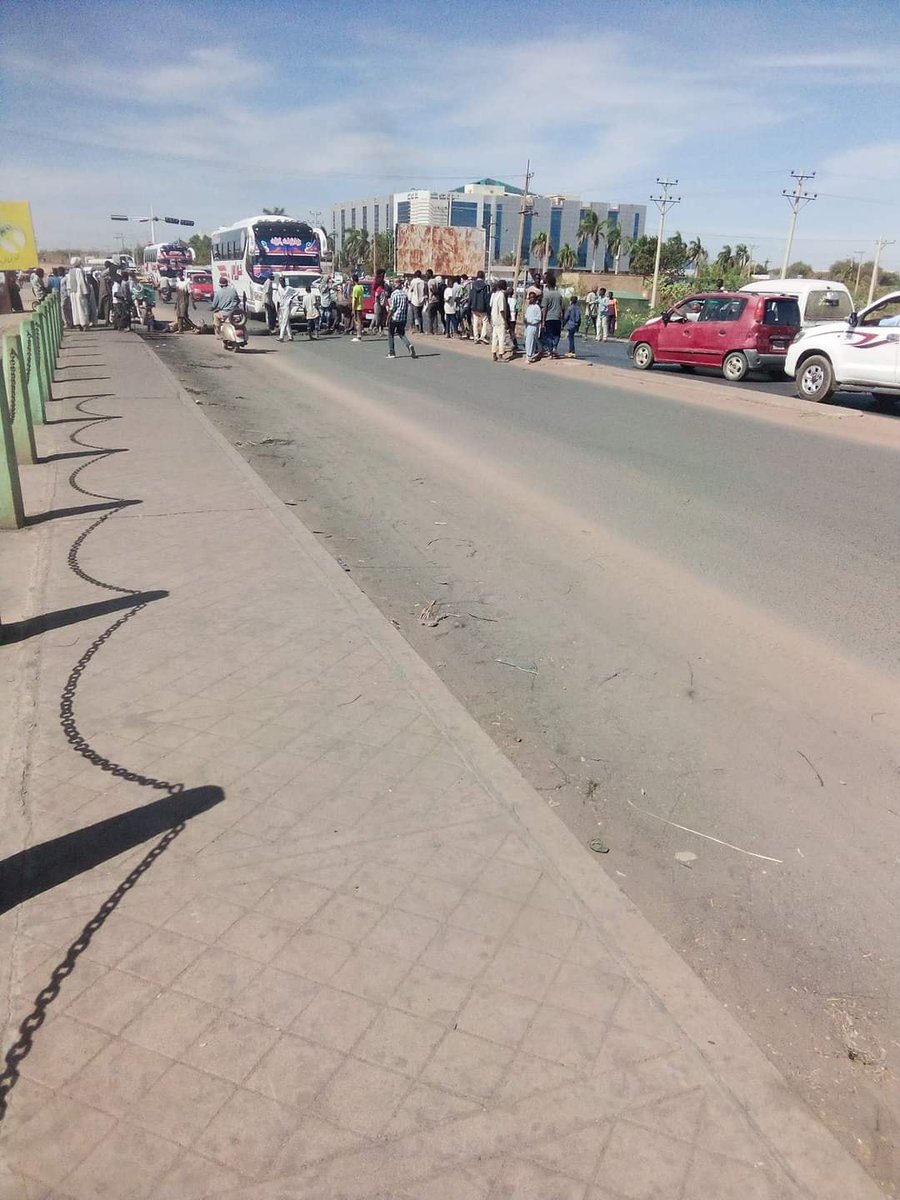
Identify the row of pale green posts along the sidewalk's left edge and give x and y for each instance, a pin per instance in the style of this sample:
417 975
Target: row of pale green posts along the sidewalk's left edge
29 358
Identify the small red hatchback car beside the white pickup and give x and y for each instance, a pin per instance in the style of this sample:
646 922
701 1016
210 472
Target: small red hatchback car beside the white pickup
734 332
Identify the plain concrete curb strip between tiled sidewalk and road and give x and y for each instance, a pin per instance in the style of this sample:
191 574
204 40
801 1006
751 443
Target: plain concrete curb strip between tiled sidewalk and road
807 1151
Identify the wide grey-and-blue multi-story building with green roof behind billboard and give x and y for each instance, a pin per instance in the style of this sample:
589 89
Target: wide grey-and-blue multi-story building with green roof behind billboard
496 208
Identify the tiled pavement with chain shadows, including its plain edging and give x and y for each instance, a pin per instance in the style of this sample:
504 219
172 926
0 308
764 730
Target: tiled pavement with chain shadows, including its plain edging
293 927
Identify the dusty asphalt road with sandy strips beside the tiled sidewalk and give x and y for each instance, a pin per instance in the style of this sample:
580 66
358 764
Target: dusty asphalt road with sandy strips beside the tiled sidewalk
680 620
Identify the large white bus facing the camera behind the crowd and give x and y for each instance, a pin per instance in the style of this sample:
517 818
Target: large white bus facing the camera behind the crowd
250 251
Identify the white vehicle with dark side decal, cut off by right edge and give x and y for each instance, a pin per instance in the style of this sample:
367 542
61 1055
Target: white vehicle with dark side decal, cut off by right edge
861 355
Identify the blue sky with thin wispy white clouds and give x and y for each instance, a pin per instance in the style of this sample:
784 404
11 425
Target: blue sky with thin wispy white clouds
212 111
